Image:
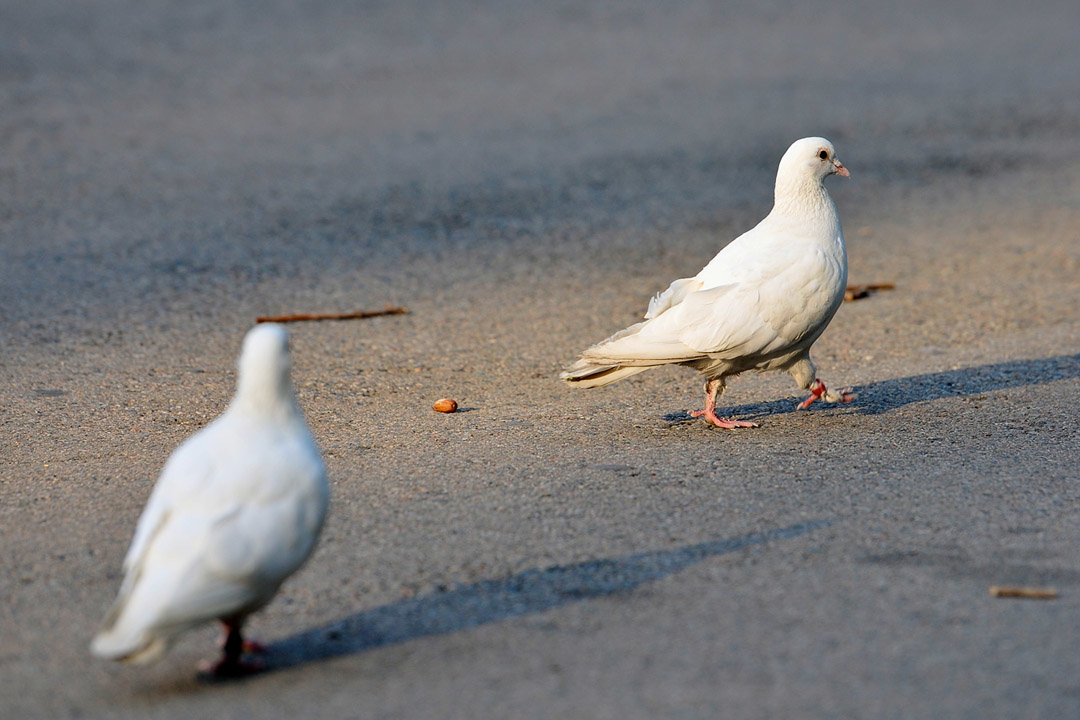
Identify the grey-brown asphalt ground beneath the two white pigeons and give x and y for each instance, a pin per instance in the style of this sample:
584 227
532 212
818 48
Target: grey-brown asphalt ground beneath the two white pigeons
523 178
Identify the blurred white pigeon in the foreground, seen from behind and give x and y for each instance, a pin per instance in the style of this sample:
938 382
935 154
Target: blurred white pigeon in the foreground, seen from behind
237 510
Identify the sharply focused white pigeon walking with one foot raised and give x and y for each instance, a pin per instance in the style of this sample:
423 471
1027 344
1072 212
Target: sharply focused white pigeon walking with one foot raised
758 306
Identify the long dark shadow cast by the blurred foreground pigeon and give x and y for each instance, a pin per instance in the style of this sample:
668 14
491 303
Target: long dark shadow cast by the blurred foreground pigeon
492 601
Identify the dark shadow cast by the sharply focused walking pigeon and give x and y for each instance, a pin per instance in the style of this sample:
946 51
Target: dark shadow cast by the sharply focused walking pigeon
886 396
